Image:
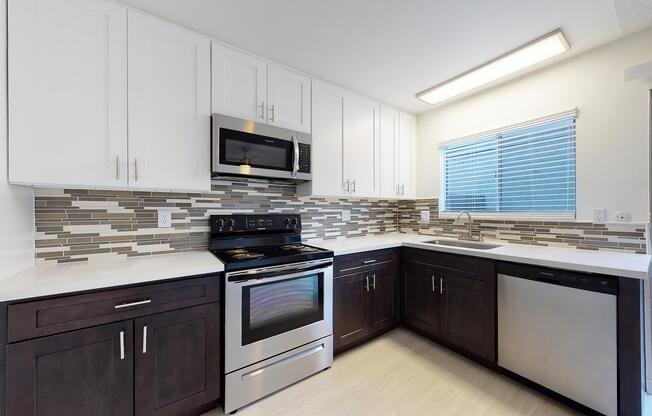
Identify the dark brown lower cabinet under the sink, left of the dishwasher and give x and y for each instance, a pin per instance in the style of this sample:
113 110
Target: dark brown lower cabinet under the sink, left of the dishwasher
452 299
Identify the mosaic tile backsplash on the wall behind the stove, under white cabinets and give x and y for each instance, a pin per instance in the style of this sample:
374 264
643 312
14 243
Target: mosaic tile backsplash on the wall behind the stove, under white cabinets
77 225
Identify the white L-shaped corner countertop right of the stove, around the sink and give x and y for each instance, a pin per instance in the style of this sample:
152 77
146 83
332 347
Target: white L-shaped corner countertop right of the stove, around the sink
630 265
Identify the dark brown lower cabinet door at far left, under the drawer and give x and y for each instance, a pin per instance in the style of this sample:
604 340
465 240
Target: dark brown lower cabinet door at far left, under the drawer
86 372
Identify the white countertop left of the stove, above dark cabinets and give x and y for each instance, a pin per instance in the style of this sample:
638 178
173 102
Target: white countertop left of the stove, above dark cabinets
56 279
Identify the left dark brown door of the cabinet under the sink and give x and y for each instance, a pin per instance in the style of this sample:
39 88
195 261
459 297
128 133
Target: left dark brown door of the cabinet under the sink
421 302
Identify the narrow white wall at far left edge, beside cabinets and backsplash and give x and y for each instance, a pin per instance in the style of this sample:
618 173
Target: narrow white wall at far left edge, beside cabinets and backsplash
16 203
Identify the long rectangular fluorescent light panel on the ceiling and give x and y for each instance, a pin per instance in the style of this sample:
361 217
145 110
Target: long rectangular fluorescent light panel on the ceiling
527 55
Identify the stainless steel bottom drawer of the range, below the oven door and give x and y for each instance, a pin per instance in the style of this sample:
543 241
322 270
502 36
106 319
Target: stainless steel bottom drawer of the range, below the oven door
261 379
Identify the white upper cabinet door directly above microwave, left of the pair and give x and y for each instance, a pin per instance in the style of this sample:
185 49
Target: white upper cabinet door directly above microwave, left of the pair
239 84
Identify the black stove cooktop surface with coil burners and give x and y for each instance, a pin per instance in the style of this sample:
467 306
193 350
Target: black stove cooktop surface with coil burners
253 257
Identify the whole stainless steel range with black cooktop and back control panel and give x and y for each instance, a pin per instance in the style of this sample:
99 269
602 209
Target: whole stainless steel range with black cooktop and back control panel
278 305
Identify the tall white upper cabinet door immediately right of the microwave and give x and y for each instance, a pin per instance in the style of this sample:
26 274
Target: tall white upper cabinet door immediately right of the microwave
327 122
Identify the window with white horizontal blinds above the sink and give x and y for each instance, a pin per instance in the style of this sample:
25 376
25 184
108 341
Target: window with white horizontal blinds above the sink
526 169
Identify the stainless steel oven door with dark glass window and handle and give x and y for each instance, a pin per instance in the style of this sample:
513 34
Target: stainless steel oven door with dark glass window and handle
271 310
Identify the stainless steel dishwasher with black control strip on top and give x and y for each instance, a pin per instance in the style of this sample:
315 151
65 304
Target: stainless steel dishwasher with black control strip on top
559 329
